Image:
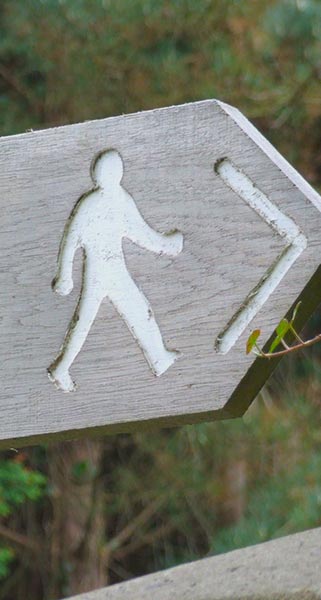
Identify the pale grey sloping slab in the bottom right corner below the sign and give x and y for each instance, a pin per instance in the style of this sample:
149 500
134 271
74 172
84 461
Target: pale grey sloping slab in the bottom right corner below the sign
283 569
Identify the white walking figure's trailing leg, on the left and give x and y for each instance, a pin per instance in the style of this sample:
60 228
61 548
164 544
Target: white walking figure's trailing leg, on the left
78 330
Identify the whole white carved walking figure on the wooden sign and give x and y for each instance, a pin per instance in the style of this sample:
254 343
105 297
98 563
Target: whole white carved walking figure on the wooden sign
98 224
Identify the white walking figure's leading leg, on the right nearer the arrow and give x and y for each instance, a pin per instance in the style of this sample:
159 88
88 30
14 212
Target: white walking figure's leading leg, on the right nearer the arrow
132 305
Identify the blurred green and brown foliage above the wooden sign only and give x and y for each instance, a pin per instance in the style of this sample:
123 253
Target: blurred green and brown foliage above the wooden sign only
132 54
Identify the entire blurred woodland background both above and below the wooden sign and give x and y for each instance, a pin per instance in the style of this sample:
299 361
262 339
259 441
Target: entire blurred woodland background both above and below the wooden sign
79 515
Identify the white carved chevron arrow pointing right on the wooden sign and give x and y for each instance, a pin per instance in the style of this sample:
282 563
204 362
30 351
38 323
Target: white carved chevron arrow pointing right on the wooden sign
296 242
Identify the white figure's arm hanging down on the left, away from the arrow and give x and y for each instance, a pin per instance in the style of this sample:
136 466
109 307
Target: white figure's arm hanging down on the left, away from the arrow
63 283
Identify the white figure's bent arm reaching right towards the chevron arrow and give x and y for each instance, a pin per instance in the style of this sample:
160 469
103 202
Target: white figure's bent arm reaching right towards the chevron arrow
139 232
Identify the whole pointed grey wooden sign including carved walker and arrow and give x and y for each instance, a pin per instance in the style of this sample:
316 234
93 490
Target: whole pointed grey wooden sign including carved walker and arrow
137 254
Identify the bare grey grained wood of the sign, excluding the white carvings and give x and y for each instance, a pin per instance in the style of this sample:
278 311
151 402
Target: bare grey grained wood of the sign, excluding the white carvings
169 156
